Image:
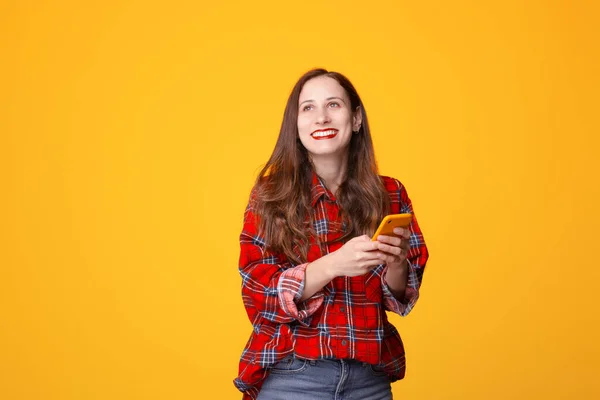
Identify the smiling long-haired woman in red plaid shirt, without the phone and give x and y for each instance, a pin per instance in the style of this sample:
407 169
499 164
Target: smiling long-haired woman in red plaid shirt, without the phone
315 286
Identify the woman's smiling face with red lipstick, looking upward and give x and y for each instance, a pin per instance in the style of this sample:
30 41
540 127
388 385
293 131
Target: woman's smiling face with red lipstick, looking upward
325 117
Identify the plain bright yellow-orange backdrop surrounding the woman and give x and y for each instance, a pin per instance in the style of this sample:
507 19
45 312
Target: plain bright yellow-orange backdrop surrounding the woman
131 132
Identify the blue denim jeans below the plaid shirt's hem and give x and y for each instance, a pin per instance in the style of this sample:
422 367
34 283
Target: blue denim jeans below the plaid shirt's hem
299 379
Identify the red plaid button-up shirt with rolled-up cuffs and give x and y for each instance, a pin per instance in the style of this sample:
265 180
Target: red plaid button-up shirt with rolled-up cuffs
344 320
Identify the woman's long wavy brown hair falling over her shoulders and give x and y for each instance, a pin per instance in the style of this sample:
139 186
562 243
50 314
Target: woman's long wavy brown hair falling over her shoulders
282 200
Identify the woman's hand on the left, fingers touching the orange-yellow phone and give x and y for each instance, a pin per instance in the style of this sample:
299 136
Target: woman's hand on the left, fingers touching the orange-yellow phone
356 257
